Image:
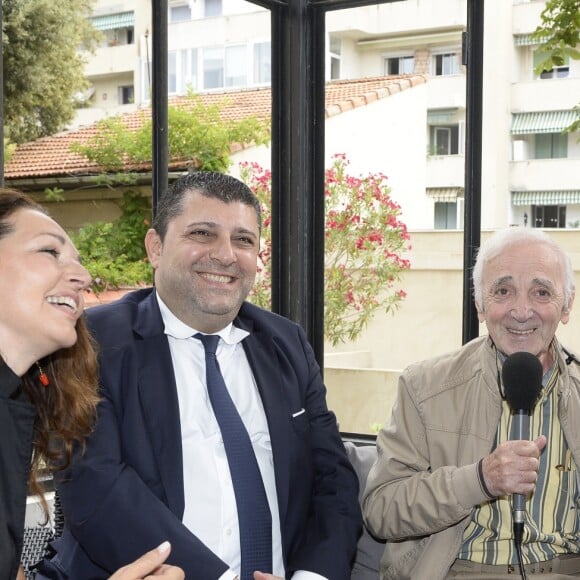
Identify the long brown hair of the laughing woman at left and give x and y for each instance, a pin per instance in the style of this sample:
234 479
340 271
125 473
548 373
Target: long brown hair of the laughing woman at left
66 408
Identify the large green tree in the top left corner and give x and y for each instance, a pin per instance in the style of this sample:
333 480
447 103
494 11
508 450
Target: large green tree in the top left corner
43 67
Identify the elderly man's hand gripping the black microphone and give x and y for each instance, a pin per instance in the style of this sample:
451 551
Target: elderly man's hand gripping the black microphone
513 467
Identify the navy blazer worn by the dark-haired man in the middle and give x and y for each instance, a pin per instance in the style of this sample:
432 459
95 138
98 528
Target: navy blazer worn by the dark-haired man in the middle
125 495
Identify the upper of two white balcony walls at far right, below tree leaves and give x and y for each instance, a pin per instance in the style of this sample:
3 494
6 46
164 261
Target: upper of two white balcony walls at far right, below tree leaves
543 95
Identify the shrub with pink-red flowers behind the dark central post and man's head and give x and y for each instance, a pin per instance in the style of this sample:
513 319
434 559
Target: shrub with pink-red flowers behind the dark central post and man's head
363 242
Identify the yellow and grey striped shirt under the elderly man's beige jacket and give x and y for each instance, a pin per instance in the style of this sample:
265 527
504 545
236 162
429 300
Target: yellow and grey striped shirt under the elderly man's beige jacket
551 524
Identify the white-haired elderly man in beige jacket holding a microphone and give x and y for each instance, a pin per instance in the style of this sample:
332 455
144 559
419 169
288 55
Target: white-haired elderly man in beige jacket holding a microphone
440 491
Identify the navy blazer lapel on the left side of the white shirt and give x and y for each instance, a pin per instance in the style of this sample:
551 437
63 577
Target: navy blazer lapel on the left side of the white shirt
158 395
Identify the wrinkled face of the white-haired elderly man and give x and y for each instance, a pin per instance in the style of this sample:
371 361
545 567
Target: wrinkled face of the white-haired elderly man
523 299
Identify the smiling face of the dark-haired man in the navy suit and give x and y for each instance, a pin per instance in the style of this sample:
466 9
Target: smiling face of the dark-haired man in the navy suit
206 265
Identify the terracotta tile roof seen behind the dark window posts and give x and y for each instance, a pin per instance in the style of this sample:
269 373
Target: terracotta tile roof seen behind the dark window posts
52 157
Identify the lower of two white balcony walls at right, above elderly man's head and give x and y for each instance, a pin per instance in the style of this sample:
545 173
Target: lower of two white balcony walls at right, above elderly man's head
543 174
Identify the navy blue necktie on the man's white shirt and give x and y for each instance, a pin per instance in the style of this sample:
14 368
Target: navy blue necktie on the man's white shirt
252 504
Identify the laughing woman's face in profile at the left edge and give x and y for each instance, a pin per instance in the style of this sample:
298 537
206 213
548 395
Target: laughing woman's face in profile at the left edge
41 285
